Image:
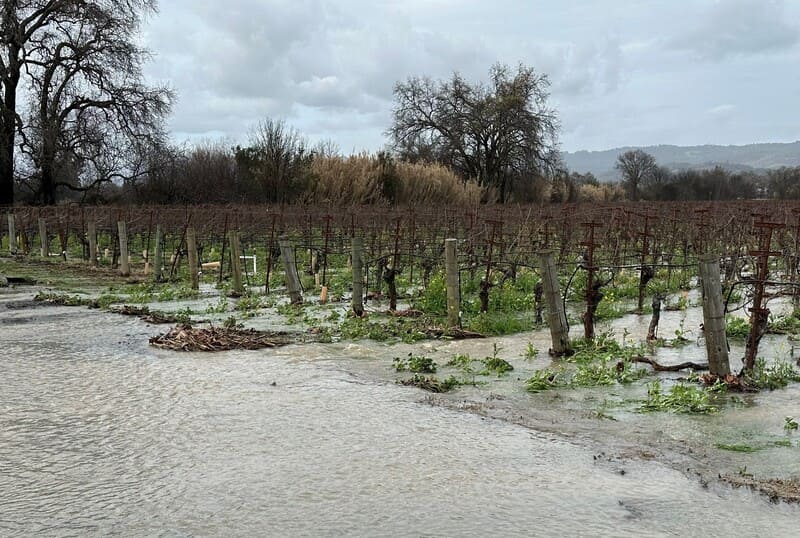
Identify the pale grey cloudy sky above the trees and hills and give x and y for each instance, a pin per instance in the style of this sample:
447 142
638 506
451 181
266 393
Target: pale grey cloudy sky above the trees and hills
622 72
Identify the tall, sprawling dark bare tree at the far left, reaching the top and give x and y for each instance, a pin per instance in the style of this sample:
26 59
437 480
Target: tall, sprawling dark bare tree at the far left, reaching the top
84 80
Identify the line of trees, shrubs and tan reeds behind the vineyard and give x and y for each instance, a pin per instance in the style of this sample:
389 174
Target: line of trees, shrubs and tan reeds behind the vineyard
78 123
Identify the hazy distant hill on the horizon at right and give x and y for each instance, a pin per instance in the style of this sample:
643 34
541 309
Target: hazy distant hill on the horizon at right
734 158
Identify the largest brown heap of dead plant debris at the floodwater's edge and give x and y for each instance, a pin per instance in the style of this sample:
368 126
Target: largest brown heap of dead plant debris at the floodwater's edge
187 338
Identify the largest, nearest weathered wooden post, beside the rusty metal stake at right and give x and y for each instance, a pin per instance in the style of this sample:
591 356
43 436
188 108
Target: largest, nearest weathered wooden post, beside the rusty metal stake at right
714 317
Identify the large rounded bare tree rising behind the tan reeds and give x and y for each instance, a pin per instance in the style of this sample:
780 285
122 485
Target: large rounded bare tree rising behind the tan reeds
494 133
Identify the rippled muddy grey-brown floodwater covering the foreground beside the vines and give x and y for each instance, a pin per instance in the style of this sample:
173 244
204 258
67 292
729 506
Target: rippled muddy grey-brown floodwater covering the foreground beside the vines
101 434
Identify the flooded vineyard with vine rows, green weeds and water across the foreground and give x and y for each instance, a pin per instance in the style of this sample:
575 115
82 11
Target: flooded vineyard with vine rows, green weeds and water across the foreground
140 404
